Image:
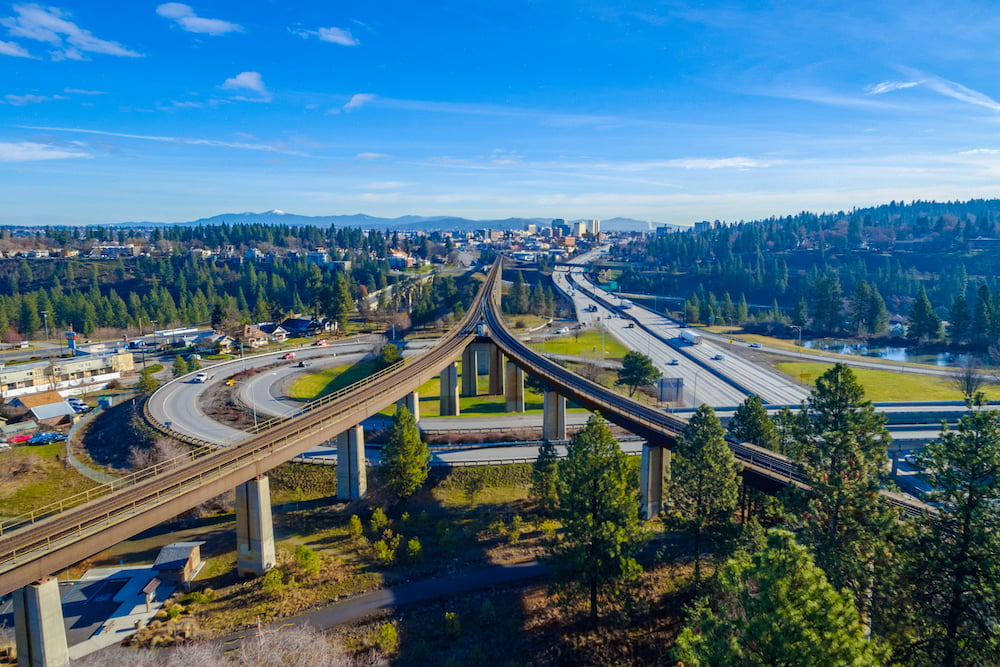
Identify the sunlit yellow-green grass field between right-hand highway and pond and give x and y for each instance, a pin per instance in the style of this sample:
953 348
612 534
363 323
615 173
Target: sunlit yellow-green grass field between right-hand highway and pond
888 385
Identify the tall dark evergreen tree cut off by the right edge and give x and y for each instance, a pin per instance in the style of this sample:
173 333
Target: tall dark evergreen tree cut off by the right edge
955 562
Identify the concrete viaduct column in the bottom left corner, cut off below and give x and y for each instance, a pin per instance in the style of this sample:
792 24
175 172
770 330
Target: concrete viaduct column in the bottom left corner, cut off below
39 630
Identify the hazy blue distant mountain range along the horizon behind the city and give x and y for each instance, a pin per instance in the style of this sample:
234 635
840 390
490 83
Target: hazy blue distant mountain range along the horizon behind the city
428 223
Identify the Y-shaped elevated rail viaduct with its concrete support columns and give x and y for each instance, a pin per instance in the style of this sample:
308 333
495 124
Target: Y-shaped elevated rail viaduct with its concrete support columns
56 536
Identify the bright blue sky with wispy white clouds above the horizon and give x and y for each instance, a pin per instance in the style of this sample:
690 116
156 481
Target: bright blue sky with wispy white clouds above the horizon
665 111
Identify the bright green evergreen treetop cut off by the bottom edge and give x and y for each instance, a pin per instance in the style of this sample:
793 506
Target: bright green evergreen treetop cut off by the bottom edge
776 608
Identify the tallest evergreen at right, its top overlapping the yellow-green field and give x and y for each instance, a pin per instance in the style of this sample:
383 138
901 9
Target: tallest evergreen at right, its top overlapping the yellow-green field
845 520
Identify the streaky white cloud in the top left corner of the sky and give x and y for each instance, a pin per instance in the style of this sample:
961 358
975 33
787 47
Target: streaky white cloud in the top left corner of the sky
51 25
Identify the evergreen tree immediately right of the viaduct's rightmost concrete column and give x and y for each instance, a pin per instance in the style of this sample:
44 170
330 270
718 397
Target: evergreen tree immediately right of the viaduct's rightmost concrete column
704 479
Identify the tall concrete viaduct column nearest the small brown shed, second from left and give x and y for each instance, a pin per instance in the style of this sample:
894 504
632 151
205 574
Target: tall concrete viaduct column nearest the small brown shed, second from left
254 529
